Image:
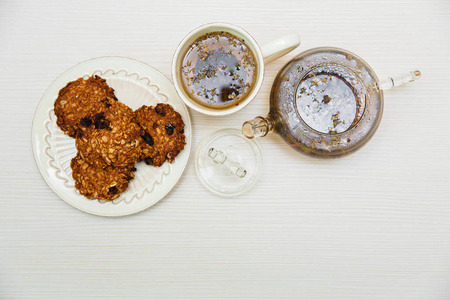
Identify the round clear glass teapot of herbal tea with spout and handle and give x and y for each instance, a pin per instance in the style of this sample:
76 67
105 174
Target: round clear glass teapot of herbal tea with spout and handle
325 102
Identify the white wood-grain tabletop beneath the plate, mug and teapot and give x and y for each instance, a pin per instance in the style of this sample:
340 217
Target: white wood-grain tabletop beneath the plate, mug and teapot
373 225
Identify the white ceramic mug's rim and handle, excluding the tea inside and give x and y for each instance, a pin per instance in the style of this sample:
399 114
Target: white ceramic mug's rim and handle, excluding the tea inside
265 54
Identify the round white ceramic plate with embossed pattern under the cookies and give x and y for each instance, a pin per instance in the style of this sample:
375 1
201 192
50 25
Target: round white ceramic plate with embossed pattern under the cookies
135 84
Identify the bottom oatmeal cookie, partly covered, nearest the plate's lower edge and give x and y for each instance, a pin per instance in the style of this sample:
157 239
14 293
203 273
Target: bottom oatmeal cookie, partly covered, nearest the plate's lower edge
94 182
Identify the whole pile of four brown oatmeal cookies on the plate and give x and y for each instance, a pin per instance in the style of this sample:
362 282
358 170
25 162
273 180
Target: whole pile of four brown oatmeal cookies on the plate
111 137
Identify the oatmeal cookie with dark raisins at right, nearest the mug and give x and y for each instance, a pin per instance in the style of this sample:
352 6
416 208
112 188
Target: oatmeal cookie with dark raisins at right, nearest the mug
163 133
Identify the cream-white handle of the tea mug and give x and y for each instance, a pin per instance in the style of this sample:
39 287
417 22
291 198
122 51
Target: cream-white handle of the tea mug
280 46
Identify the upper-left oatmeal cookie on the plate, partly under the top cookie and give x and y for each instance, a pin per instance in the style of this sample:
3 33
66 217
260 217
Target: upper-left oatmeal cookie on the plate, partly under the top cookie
80 99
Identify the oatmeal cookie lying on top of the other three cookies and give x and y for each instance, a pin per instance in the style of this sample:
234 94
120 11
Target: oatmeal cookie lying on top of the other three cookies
110 137
